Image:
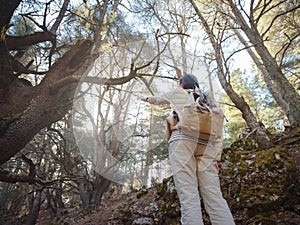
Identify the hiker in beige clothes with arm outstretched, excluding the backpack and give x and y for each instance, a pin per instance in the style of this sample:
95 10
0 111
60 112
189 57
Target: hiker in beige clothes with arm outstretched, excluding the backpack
193 163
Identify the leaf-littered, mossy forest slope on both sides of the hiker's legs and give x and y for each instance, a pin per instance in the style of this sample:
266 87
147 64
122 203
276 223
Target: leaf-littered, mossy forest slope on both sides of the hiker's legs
159 204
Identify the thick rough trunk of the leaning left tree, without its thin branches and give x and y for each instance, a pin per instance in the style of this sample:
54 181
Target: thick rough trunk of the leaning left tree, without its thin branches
36 107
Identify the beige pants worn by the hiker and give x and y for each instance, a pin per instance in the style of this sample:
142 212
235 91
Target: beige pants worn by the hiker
190 172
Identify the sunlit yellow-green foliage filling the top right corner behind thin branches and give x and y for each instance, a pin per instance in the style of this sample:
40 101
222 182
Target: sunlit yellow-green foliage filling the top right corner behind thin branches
282 37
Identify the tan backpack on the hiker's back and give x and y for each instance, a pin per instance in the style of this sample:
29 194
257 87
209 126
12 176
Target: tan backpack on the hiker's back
201 121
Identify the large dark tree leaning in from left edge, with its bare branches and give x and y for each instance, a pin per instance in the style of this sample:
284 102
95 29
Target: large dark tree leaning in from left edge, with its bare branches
26 109
